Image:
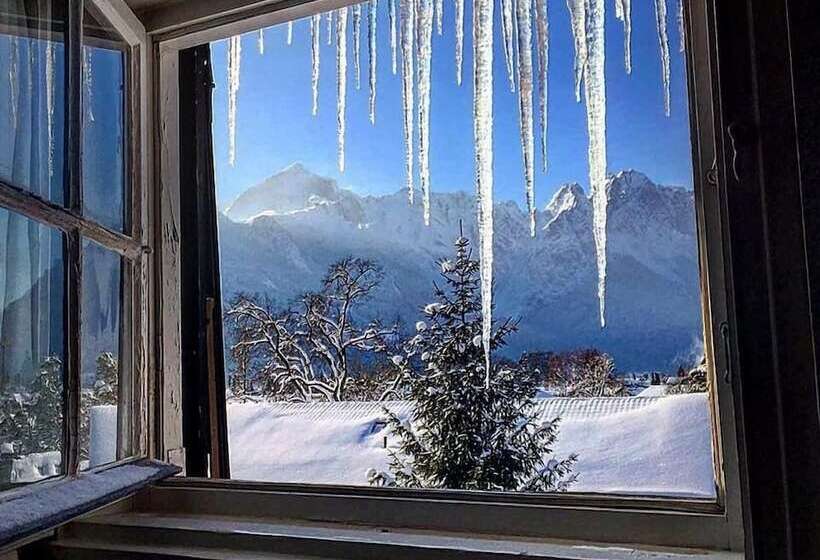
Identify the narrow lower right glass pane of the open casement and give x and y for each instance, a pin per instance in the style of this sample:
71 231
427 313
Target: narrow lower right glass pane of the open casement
101 340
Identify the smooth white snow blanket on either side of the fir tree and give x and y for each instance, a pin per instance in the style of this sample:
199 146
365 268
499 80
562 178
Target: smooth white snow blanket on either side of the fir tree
633 445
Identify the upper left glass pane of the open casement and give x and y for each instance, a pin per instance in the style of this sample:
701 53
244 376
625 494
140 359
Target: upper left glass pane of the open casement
32 60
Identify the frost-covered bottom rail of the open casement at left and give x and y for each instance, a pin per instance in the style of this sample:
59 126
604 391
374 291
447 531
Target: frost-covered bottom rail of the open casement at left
41 507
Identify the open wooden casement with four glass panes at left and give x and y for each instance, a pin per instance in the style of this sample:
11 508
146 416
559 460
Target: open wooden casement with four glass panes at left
71 244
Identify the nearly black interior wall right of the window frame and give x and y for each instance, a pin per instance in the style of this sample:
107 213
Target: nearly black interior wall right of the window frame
767 72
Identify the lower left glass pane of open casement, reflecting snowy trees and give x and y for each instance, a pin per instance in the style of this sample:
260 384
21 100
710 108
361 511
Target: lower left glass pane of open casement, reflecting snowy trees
31 350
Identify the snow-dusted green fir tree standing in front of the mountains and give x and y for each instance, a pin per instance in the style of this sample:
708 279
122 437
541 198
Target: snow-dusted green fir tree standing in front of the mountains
469 431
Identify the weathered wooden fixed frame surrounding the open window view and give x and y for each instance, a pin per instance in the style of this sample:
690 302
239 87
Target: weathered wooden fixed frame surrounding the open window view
716 524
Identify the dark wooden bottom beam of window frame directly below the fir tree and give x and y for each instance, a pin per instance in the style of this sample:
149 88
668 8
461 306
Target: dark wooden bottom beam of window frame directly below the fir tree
574 519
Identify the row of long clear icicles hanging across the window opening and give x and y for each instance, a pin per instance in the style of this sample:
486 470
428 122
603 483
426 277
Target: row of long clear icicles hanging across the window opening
524 28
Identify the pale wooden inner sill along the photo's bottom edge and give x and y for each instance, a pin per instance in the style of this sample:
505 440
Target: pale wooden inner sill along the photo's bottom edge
216 536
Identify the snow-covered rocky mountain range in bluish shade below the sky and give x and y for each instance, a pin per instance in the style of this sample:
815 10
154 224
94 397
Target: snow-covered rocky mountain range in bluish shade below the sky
279 236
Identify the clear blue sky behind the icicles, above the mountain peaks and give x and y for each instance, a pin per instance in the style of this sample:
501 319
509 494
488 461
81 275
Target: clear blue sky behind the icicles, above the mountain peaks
275 126
